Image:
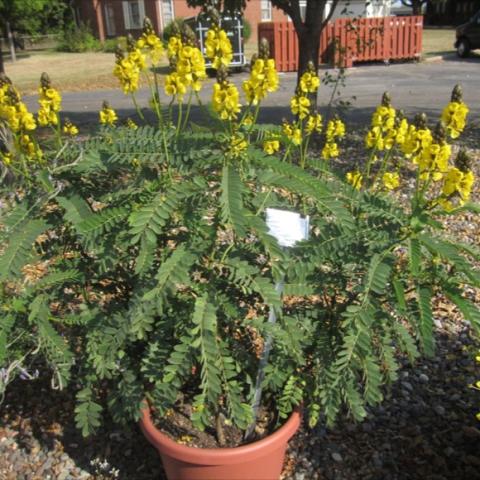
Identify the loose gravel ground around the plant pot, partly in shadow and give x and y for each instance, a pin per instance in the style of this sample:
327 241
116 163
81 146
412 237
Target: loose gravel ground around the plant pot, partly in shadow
425 429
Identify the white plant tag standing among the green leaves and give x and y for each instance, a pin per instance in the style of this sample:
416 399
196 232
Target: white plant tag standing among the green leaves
287 227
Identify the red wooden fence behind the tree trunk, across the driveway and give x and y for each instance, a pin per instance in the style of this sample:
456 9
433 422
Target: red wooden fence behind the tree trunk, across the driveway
347 40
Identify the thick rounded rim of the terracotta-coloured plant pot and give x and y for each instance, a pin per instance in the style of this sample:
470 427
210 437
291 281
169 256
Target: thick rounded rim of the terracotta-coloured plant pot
213 456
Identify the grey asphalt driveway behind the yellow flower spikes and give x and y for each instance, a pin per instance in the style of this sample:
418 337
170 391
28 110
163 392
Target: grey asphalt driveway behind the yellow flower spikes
415 87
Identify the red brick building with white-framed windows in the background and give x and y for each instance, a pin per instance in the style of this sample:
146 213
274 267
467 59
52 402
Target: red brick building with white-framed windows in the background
112 18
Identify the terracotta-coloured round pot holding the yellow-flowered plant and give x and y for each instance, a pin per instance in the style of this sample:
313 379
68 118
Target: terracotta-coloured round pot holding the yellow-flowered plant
262 460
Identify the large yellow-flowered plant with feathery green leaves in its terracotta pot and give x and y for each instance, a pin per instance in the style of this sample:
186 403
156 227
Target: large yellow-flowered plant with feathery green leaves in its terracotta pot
184 311
